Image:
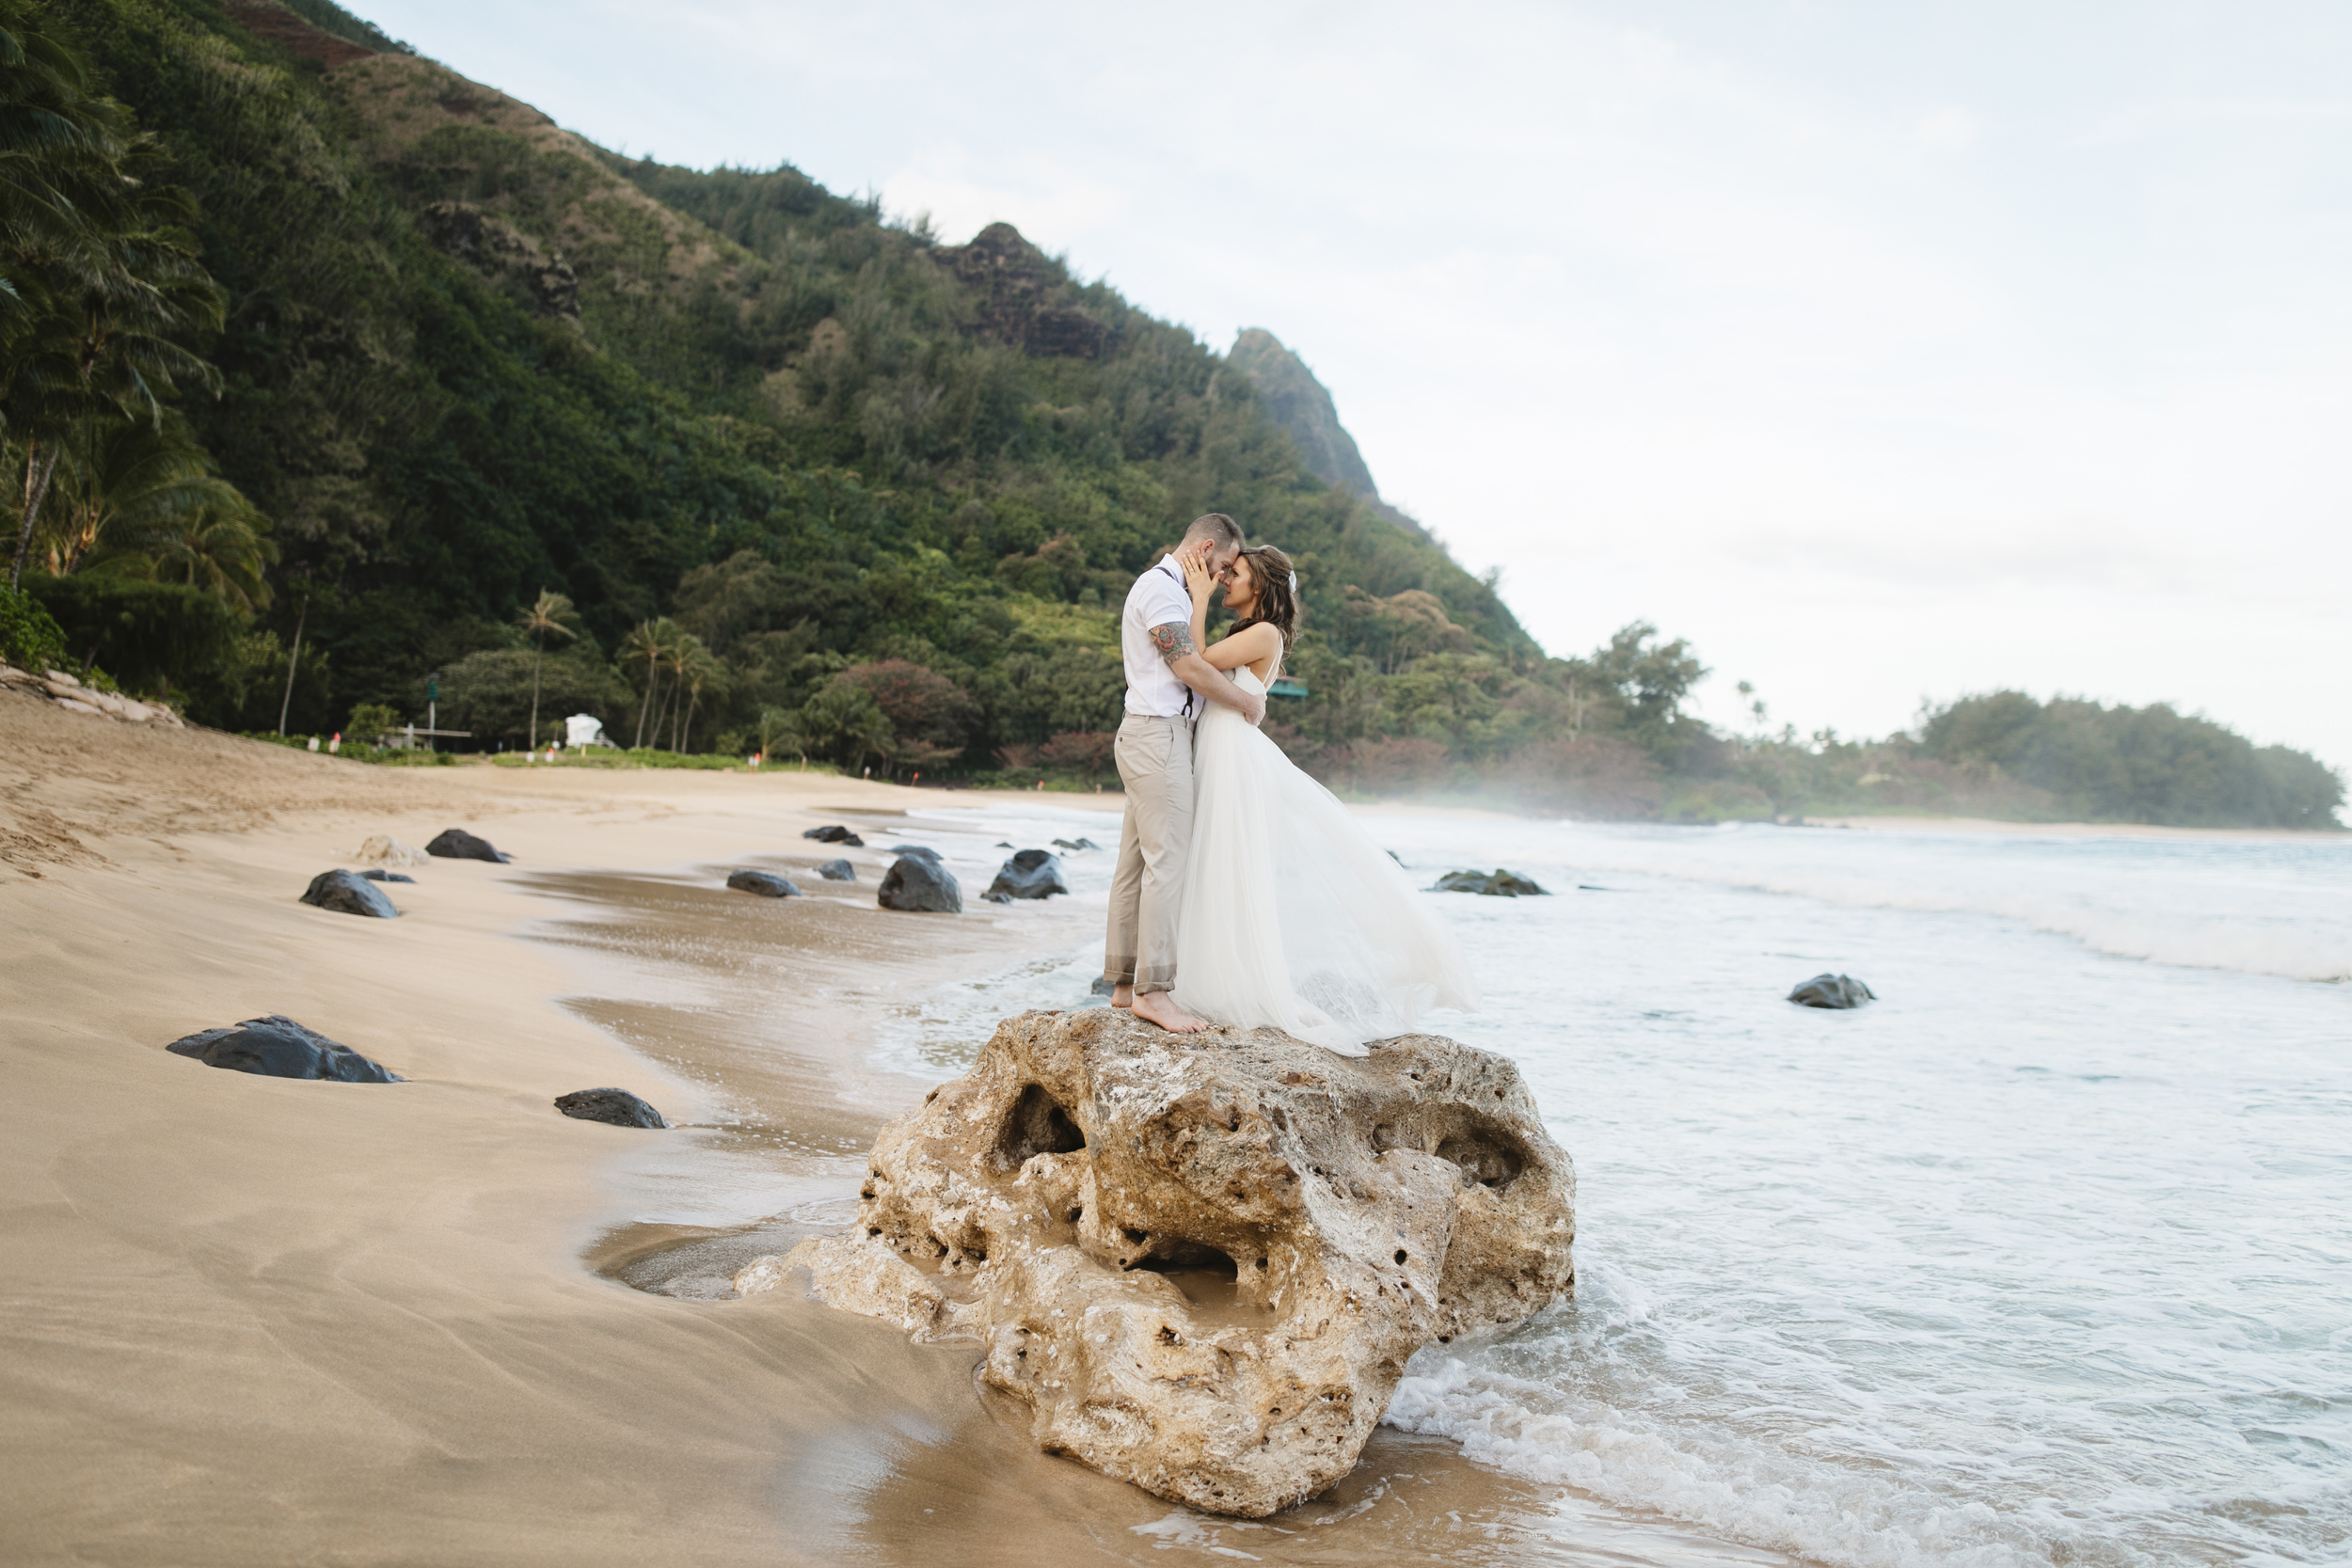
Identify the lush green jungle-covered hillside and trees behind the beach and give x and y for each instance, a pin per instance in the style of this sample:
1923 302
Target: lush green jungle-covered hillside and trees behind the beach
330 377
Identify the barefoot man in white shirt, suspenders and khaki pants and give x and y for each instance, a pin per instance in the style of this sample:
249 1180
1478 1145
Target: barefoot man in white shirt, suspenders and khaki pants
1165 688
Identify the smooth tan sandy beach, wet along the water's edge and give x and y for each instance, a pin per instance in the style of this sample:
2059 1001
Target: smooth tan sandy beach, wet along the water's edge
288 1322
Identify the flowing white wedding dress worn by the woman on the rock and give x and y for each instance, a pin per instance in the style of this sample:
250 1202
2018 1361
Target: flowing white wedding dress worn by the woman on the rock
1292 916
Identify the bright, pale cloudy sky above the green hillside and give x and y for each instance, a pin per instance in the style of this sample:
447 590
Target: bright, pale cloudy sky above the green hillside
1883 351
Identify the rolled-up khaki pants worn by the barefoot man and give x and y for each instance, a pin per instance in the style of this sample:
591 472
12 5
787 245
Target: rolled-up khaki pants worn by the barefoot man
1147 890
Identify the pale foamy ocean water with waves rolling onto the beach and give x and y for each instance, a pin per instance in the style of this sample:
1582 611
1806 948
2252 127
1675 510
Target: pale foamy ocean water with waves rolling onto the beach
2040 1259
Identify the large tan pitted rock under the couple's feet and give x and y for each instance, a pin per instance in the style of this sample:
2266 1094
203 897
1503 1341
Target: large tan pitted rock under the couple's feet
1203 1259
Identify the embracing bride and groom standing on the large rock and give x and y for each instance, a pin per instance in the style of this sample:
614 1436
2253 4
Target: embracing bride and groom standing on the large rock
1245 894
